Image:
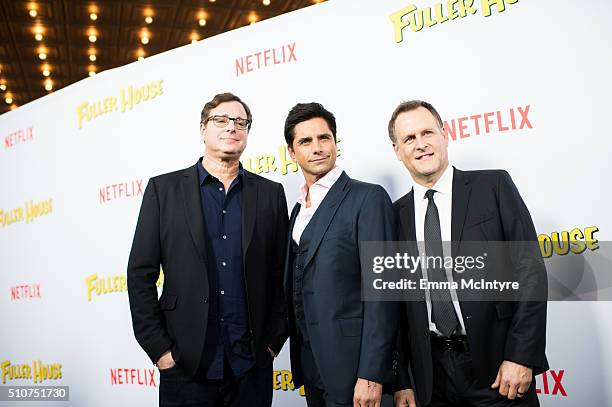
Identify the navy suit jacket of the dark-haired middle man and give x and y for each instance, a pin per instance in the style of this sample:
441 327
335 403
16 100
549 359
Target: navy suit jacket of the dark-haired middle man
349 338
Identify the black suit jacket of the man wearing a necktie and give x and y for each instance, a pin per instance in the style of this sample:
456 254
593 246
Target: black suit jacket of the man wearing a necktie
486 206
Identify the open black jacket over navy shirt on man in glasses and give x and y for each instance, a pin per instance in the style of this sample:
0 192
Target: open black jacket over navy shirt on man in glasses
170 233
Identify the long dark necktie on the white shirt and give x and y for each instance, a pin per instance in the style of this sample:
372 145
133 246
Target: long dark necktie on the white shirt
443 313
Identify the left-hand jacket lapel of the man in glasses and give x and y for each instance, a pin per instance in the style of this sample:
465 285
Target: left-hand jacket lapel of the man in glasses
193 209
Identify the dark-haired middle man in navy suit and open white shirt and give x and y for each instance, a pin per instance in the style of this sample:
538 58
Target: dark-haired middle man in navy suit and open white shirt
340 345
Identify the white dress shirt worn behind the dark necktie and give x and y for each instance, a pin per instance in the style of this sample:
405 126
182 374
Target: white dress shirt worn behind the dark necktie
444 201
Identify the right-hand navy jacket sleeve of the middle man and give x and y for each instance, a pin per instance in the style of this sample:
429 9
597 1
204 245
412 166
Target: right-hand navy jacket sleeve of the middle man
376 224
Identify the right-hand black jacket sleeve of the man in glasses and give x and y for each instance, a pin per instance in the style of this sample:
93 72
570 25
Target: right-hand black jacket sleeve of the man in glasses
278 321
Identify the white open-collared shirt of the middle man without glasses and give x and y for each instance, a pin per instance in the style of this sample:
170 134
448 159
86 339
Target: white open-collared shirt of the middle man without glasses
317 191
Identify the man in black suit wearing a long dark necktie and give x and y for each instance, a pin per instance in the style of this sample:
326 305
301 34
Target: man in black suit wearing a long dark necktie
458 352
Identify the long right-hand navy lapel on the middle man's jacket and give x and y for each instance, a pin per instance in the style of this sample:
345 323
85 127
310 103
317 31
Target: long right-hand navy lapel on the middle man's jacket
326 211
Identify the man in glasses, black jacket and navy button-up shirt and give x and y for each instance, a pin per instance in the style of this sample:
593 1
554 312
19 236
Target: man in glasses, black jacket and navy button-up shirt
218 232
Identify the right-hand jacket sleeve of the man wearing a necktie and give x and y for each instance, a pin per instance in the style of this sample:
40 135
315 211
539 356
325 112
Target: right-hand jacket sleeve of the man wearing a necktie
527 335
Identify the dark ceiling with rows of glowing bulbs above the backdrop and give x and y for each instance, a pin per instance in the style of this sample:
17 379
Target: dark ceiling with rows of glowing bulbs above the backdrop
61 29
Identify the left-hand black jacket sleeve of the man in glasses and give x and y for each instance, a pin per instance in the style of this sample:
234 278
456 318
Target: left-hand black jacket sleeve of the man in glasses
142 274
